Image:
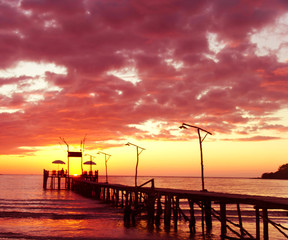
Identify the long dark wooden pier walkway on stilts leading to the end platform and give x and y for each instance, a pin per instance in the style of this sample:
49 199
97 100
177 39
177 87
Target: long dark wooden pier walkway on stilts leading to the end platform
164 205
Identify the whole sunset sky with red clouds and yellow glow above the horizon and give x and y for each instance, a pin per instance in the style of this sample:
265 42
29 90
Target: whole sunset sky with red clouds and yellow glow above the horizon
116 71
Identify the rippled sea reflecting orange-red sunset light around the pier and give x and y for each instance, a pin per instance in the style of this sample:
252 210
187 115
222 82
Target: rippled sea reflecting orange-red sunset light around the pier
29 212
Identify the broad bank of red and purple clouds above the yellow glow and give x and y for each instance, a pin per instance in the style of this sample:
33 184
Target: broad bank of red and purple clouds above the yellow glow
129 62
